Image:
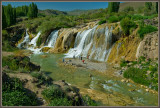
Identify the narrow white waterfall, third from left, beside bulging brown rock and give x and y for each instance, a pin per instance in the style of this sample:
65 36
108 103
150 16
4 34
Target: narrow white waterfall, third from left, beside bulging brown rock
52 39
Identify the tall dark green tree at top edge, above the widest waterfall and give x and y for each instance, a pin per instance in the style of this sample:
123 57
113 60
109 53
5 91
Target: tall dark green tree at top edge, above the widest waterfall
113 7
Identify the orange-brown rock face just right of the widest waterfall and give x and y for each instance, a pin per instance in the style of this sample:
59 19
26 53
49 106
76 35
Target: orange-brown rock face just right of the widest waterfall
124 48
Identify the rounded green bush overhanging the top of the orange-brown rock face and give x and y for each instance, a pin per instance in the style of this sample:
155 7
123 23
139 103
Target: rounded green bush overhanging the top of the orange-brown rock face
126 24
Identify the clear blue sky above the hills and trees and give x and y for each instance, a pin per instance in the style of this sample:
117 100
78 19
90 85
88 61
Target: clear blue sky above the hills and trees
62 6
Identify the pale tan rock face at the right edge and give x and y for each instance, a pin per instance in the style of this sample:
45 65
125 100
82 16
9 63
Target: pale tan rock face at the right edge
148 47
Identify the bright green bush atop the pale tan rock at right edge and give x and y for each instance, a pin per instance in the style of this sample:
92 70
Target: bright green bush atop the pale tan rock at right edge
146 29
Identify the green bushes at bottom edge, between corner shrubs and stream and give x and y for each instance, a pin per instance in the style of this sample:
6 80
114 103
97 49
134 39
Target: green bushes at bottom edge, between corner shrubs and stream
55 96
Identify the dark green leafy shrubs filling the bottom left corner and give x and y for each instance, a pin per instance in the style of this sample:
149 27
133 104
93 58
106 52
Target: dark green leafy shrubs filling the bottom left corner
14 94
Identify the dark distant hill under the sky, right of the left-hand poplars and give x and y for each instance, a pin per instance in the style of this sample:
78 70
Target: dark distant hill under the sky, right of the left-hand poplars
51 12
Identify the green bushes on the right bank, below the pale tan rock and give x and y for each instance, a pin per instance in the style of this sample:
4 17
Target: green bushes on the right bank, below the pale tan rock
144 72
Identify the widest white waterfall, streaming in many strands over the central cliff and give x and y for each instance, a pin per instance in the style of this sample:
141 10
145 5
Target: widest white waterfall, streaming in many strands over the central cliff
85 42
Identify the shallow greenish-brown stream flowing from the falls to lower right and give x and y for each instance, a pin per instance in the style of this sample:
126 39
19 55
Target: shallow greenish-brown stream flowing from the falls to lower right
107 90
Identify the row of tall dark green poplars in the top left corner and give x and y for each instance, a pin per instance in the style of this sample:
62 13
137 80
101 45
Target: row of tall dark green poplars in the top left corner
9 13
